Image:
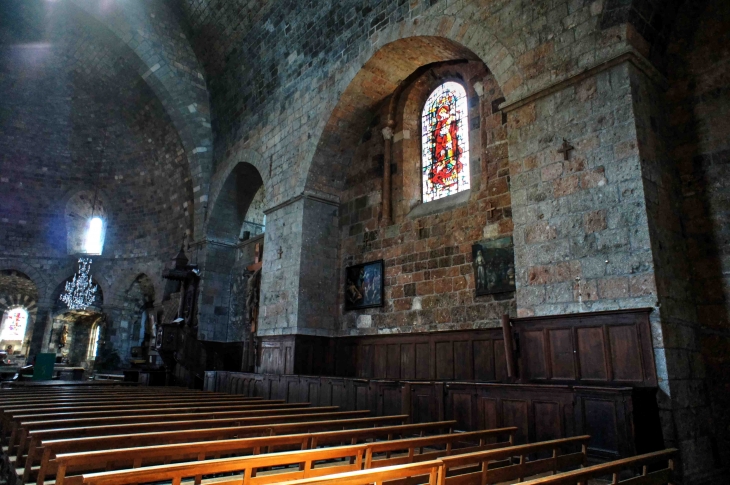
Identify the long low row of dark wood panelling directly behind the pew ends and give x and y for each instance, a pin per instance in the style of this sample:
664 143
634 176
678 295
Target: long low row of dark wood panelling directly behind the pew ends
621 420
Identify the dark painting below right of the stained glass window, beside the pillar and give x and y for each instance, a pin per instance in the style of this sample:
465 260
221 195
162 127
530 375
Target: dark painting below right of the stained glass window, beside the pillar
494 266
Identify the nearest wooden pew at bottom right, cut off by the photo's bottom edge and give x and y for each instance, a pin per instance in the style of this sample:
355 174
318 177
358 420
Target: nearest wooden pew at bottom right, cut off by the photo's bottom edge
662 476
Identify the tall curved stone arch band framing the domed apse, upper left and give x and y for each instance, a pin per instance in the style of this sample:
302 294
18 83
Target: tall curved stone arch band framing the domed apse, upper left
165 60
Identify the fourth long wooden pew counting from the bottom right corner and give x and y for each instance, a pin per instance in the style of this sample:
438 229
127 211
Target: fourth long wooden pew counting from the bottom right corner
63 464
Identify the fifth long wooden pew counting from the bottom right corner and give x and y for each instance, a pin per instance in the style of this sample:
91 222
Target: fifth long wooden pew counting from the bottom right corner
41 452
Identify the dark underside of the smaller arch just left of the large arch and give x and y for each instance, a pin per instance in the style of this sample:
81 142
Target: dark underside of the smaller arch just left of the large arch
233 201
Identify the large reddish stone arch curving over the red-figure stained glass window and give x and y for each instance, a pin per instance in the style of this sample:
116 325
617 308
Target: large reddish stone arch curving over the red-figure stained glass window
395 55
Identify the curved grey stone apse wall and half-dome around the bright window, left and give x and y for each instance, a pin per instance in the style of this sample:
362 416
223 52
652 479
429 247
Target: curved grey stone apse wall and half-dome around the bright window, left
77 116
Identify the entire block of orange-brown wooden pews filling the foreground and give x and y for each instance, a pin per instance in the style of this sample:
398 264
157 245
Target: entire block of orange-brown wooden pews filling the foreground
109 435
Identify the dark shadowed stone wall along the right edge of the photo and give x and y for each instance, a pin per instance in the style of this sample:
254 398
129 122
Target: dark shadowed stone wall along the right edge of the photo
699 101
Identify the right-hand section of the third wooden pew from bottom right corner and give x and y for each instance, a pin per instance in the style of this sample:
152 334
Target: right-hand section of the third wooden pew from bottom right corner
410 450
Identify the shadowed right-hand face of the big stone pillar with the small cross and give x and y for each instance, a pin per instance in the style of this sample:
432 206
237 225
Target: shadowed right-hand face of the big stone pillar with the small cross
684 403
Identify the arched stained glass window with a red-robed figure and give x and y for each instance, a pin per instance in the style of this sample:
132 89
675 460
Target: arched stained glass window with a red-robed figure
445 142
